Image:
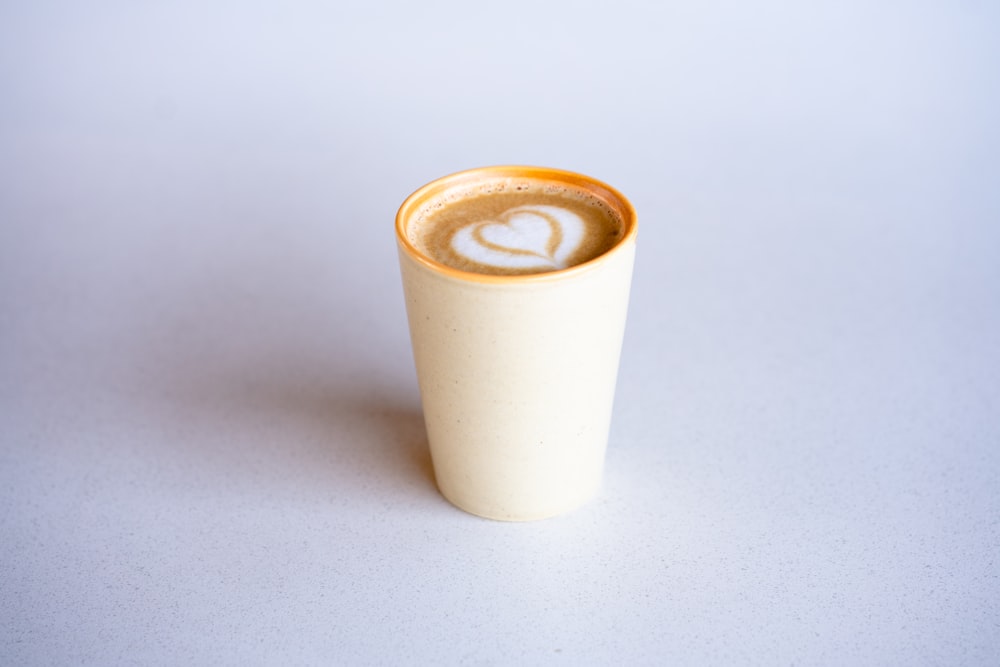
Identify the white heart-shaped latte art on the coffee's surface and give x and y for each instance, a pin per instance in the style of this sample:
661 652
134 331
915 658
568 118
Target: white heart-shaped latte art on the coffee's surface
526 237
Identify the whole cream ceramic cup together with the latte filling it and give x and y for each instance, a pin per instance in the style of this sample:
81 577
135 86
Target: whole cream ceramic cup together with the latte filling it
516 372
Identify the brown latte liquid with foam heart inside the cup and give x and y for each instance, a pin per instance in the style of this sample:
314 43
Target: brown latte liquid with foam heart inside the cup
511 226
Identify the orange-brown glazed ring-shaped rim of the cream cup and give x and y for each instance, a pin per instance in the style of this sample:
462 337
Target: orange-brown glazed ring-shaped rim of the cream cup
598 188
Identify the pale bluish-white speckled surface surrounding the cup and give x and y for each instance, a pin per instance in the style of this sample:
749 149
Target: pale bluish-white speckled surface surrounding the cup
211 448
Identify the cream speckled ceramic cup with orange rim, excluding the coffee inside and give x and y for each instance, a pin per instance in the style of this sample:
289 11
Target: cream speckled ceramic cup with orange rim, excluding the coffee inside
517 373
